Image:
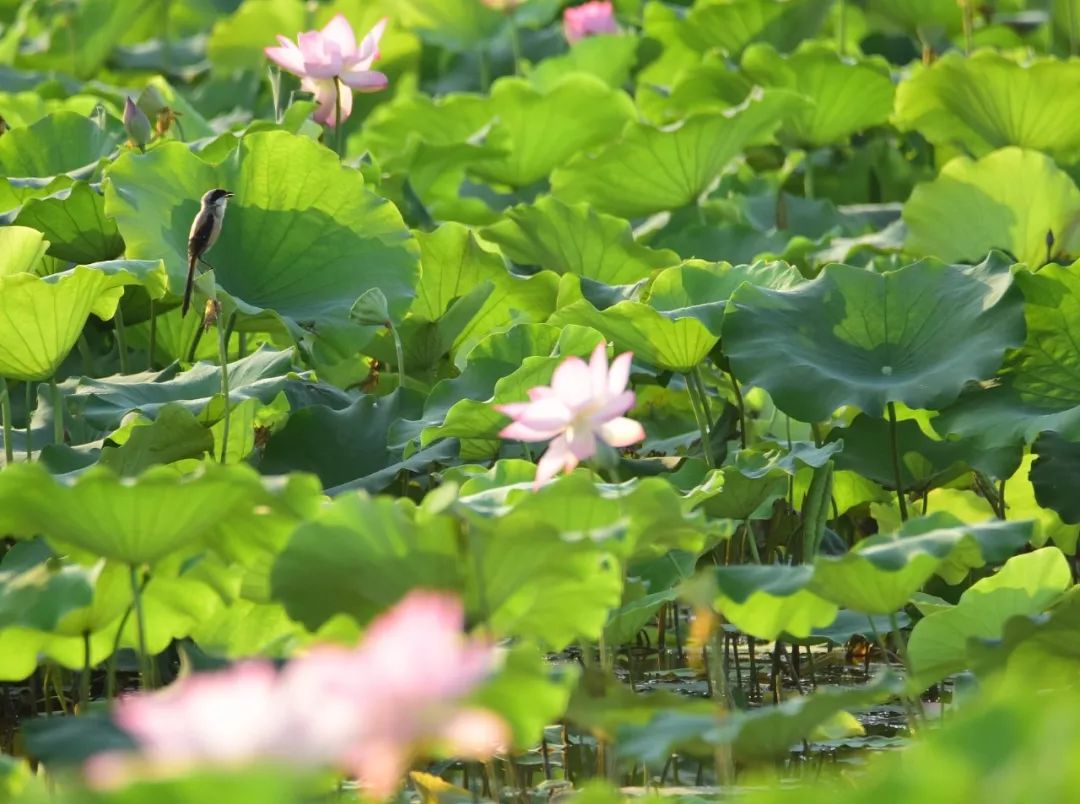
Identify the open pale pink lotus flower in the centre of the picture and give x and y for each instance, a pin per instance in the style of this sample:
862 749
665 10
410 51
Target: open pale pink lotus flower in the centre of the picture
583 405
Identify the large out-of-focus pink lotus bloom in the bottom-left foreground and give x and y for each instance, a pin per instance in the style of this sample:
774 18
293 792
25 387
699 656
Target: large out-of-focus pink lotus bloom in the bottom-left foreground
368 711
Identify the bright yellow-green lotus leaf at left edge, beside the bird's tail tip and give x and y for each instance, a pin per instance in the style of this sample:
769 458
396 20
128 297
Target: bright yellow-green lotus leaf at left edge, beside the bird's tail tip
42 318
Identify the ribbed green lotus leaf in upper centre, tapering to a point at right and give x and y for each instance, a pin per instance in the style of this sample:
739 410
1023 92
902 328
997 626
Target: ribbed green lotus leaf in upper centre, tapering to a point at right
576 239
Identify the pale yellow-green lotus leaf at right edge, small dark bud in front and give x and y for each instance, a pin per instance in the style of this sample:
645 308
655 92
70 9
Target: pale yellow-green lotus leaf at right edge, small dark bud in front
1010 199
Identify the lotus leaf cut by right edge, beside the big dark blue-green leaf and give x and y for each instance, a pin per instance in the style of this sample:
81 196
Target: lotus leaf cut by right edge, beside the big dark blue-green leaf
1041 382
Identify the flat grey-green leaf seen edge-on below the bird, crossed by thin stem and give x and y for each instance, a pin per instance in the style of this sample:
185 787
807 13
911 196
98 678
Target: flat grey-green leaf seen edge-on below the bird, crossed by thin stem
105 403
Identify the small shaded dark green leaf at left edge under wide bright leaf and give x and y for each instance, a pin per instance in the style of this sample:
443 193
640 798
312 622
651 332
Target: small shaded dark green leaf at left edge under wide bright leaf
37 591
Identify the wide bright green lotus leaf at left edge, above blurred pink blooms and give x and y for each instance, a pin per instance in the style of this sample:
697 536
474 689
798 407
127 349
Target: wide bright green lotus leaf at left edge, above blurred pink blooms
136 521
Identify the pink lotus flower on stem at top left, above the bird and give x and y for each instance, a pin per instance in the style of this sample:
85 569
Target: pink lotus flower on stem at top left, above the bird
325 60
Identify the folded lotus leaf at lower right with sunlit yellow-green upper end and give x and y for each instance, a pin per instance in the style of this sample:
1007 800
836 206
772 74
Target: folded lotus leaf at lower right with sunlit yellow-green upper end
1025 586
